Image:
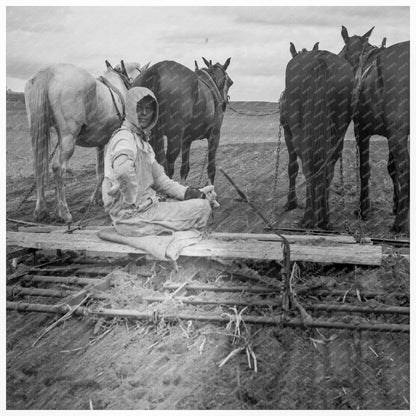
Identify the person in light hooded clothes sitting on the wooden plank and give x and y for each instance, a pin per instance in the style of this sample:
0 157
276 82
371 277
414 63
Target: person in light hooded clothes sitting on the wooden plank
132 177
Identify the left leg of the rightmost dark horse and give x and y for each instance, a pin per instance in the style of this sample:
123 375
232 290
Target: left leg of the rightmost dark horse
363 142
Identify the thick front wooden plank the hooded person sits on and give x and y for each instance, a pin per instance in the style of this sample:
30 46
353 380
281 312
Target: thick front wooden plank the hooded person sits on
251 249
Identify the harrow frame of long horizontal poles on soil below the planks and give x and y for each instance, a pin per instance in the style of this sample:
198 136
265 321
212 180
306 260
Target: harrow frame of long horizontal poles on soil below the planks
70 282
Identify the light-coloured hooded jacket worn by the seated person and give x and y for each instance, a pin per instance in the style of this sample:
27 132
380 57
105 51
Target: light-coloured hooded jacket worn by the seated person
131 185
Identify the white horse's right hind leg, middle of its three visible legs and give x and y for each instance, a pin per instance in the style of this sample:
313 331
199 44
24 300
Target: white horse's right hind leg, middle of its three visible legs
59 169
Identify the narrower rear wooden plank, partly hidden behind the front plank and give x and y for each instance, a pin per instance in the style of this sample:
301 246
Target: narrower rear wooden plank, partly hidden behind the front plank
313 239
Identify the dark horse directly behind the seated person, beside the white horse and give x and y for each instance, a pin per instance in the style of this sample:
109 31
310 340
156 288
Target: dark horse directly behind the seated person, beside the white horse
191 107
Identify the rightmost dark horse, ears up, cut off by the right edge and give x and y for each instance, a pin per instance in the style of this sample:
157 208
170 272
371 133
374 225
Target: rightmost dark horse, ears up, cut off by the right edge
381 106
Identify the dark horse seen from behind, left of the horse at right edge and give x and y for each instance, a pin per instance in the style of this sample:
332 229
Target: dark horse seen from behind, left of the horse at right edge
315 111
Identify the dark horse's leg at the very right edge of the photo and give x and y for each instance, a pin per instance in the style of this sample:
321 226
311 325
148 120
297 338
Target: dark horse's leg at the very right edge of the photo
400 153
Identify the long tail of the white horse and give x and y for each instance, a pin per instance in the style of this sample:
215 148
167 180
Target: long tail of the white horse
40 120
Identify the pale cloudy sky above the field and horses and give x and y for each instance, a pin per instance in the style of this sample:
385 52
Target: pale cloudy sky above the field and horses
256 38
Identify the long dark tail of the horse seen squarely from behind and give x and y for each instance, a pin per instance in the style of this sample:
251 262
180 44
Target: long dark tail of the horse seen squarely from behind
317 134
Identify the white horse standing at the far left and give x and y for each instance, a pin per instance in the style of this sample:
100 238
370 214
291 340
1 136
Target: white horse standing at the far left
80 110
